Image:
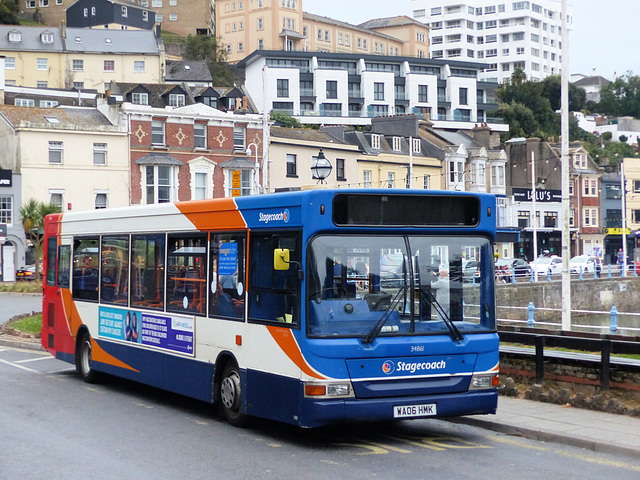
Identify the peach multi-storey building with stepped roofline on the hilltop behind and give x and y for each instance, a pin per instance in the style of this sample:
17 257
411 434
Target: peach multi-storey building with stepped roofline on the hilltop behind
246 26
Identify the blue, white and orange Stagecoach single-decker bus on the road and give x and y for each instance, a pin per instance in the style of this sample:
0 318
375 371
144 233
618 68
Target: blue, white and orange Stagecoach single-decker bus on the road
310 308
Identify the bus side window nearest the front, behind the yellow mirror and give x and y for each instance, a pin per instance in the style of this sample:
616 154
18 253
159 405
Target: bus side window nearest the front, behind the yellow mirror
274 294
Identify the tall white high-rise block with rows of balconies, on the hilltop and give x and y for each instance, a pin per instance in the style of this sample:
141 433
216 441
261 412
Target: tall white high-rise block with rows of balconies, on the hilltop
504 35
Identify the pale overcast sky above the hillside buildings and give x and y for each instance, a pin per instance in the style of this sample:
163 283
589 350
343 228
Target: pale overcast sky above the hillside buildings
603 40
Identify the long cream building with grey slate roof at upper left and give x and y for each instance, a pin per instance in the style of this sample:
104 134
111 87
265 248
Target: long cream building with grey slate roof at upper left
79 58
